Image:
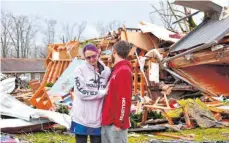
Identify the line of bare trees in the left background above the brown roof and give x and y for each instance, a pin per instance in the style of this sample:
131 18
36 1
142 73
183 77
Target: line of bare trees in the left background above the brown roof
19 34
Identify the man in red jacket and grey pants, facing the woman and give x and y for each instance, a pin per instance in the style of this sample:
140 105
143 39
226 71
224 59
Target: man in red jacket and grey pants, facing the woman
116 107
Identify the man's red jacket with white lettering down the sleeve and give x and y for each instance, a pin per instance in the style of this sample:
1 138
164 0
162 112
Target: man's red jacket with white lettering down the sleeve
117 103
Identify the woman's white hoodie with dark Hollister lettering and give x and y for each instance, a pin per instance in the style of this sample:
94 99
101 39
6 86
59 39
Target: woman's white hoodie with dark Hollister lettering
89 94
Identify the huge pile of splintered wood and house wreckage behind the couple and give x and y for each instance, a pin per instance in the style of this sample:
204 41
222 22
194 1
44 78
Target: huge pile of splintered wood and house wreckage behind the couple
179 81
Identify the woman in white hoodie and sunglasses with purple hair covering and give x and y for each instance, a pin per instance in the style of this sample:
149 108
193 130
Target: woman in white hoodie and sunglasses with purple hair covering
90 88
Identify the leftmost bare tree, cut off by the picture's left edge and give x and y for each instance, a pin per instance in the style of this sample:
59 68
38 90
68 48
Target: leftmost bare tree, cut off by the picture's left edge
5 39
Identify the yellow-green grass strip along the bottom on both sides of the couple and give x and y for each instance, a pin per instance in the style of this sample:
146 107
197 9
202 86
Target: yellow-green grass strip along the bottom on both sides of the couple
210 134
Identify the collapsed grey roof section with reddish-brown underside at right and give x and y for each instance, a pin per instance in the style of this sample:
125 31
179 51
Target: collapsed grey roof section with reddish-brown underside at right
201 57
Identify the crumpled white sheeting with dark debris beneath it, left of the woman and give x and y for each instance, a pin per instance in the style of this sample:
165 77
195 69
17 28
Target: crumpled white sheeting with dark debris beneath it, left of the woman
17 117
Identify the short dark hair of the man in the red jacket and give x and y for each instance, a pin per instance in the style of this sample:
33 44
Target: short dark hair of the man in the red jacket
122 48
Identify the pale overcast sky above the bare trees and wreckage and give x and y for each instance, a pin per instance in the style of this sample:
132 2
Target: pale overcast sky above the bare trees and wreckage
91 11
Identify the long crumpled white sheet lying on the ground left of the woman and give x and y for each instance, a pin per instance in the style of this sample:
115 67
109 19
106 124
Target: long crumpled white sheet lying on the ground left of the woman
14 108
